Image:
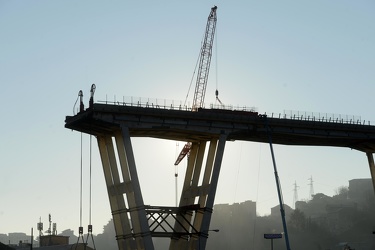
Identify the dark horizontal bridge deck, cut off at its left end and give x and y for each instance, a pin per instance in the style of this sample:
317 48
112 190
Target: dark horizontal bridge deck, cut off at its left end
208 123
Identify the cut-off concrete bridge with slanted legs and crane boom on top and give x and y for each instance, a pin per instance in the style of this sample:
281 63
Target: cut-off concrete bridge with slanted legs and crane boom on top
114 124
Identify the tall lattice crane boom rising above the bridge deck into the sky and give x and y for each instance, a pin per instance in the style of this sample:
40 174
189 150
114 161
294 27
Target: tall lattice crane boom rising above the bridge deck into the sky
205 61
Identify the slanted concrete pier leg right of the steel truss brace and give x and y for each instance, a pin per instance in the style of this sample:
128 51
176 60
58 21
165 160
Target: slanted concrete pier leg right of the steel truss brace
201 194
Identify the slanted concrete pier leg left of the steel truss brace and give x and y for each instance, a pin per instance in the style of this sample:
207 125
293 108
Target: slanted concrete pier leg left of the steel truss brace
124 192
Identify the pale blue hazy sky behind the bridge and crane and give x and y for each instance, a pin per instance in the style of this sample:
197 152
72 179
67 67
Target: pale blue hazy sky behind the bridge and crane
316 56
